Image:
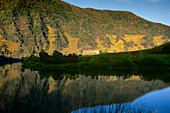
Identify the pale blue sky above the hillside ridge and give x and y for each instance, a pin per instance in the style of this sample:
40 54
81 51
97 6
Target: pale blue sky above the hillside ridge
153 10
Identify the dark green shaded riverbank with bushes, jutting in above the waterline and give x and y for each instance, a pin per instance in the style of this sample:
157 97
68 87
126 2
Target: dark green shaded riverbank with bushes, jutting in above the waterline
156 58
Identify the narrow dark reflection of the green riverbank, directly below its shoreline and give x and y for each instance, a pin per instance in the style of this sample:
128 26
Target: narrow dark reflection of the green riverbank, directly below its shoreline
148 75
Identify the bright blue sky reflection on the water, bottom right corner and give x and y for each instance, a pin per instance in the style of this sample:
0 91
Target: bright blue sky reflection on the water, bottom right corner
156 101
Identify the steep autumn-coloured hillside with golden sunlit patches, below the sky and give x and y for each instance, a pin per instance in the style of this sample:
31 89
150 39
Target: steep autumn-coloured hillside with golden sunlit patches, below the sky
27 27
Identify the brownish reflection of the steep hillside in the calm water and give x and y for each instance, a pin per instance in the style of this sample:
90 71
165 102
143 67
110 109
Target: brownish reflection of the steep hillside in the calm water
22 90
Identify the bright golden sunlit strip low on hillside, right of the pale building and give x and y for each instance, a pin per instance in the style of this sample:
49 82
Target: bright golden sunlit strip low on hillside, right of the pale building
130 43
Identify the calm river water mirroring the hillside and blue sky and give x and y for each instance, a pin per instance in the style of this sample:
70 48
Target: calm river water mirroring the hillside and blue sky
26 91
